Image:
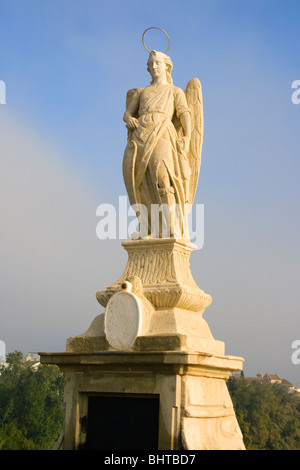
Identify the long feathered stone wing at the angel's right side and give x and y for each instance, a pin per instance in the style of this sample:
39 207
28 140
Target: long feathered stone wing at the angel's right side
193 93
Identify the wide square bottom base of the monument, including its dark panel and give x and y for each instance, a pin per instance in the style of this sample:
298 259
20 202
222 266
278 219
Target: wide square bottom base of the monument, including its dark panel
194 408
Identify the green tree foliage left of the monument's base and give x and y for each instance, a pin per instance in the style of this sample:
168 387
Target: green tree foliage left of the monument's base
31 412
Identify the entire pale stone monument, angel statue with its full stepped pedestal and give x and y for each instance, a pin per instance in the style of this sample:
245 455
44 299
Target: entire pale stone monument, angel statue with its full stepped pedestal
152 340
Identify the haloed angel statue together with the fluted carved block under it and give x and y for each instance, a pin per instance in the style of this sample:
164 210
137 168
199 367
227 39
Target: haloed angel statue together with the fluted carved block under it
161 167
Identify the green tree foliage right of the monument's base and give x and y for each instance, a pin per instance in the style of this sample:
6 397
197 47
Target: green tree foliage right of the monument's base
268 414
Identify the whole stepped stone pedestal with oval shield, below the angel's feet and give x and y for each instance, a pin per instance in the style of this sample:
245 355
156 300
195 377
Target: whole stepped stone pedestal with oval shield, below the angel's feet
171 355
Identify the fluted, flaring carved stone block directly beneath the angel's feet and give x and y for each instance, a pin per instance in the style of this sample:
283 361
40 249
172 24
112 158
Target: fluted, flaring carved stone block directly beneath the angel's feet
163 267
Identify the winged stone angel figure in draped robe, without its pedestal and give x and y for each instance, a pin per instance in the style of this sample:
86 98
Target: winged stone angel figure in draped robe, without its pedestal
162 158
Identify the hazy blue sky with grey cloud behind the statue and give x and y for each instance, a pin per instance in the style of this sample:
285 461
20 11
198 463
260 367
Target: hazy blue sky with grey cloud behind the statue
67 65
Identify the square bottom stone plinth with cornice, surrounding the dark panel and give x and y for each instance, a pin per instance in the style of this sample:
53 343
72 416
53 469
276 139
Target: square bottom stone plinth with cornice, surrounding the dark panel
195 408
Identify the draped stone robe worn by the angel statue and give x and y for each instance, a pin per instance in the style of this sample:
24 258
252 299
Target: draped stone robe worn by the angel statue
152 144
